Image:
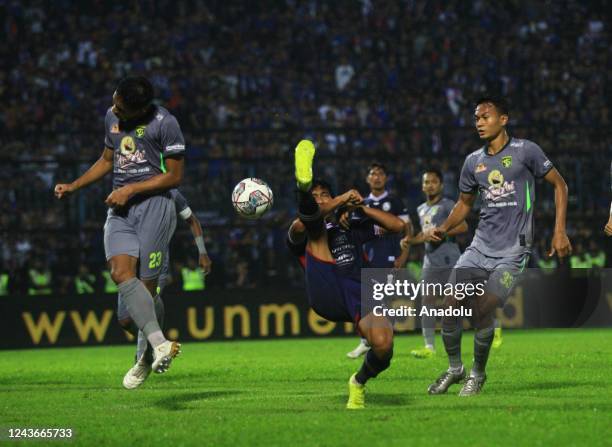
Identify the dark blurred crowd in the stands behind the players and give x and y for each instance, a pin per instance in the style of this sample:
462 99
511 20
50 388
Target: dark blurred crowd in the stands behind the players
391 81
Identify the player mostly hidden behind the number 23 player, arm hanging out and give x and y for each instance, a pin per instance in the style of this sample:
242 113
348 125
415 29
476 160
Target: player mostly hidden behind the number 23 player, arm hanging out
141 370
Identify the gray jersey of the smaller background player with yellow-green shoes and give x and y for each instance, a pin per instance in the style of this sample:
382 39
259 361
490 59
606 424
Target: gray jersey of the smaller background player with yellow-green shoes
446 253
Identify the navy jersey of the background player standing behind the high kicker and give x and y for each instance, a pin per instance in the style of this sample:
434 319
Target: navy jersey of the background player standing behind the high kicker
383 251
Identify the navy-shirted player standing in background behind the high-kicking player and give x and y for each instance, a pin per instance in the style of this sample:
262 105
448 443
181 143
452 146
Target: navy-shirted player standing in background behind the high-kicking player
384 251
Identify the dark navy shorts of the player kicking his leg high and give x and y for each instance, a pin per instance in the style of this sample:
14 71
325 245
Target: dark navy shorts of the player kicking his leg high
332 296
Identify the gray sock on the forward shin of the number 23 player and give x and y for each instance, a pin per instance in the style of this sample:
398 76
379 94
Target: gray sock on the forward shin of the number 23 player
142 310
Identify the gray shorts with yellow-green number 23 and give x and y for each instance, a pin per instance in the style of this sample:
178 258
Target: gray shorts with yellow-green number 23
142 230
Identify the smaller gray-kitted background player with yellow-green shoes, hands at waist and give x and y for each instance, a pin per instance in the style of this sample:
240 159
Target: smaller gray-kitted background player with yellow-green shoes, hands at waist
439 257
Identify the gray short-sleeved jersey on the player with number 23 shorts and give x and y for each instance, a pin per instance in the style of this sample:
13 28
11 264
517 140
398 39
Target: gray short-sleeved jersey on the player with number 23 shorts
140 152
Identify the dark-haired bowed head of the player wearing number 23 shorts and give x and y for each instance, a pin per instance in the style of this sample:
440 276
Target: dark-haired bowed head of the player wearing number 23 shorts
132 98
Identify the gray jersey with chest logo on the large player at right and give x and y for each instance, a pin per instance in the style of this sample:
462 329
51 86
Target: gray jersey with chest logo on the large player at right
506 185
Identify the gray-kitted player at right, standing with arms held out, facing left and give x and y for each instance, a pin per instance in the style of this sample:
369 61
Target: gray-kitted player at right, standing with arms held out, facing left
503 171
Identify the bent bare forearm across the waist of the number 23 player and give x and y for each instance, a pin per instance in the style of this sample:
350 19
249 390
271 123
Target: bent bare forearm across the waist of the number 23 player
170 179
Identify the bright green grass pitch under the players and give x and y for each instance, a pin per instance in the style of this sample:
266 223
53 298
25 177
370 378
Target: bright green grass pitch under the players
547 387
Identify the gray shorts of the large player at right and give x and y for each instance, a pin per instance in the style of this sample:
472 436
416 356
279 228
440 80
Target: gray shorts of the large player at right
500 274
